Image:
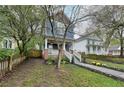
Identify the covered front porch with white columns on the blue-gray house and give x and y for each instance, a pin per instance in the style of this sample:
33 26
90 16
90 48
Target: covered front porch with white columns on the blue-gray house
51 47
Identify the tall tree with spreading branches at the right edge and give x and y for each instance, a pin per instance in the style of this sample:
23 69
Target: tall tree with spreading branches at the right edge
111 19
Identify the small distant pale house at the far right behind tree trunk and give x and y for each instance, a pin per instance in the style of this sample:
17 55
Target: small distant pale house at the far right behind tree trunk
114 50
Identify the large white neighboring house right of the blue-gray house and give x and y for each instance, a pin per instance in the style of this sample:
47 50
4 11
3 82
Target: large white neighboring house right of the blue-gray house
90 44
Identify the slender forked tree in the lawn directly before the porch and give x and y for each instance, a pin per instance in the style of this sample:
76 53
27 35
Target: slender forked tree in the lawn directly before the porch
73 17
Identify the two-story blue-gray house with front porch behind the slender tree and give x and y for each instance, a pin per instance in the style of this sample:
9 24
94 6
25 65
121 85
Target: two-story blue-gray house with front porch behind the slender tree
52 43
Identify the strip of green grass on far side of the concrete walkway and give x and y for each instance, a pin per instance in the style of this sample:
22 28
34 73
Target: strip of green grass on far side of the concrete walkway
108 64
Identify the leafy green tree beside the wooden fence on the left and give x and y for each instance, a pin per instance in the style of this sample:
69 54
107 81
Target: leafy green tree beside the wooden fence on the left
20 23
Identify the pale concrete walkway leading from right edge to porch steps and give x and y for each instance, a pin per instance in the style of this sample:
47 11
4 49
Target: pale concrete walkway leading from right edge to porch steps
109 72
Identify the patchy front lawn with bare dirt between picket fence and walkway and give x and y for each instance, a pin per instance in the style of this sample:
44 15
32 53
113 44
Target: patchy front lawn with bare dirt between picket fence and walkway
36 74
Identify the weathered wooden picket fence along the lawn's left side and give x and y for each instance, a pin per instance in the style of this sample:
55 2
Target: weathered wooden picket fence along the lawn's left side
8 65
